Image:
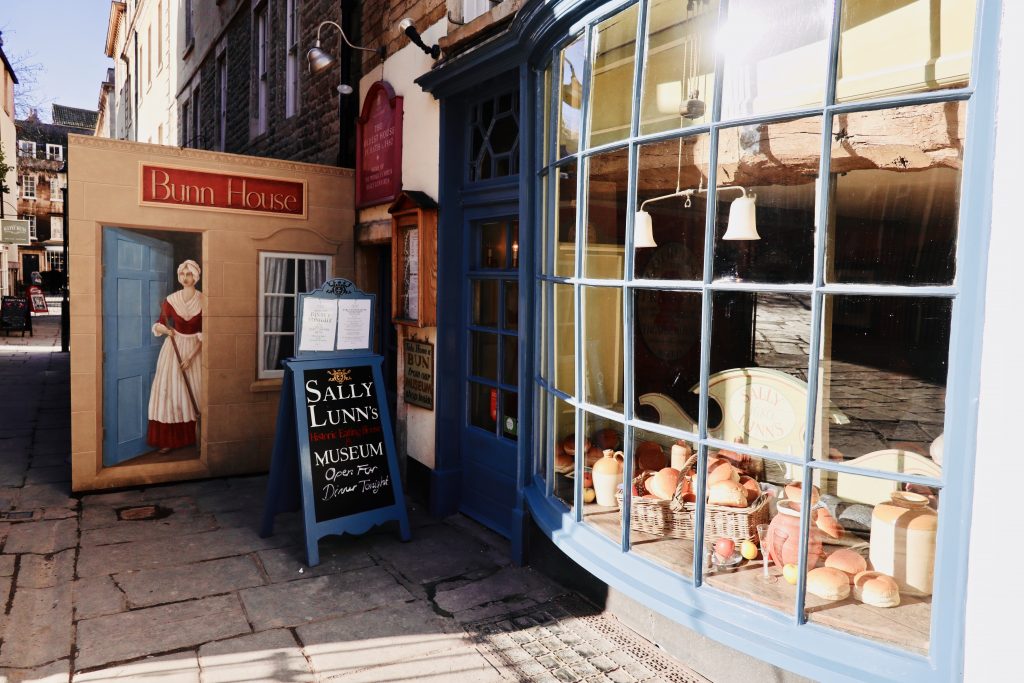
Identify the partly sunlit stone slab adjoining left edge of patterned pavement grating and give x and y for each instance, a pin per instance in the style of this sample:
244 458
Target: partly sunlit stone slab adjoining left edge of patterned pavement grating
388 635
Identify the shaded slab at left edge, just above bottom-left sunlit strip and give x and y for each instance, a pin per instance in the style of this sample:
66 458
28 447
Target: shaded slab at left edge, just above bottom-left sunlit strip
38 630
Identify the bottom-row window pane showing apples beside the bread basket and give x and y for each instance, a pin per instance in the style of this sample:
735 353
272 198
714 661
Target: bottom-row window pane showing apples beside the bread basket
736 510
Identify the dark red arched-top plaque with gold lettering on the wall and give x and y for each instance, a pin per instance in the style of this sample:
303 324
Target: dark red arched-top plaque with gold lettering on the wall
378 147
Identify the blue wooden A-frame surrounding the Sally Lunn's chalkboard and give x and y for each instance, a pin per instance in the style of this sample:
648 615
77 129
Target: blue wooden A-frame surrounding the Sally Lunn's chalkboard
291 471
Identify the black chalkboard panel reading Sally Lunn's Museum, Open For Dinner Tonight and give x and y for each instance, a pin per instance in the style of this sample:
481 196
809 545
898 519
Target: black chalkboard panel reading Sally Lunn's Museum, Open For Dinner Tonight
348 451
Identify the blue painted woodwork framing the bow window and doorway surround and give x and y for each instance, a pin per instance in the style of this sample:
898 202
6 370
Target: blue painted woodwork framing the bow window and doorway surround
539 29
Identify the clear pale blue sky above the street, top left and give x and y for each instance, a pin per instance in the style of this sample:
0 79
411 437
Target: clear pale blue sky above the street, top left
66 39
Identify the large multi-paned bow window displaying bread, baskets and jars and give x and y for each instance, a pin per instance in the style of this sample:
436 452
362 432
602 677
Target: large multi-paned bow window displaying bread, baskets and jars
727 320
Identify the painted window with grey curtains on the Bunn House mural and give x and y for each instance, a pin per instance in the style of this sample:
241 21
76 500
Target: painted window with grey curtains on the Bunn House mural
283 278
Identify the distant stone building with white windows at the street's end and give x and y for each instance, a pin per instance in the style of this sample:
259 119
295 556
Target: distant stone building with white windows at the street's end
42 155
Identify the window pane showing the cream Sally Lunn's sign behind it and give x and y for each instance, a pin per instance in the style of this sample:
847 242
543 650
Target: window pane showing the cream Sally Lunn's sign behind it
758 387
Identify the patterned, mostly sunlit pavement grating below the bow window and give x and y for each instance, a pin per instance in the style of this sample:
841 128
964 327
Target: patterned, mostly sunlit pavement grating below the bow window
569 641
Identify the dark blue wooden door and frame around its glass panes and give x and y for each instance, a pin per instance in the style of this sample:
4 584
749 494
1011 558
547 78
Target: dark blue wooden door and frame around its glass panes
464 480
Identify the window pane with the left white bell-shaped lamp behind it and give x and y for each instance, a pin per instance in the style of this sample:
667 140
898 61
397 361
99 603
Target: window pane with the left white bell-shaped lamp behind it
677 223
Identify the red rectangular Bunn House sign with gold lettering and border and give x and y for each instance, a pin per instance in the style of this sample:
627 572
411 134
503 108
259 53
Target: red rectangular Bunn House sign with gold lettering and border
192 189
